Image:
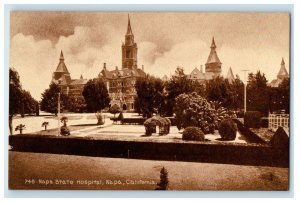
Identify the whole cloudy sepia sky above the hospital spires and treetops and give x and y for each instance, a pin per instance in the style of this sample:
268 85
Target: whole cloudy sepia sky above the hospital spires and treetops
254 41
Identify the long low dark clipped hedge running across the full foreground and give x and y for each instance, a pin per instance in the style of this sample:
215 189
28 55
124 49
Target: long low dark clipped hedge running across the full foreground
228 153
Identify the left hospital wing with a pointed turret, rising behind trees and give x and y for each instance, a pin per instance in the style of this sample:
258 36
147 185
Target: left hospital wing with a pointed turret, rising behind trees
71 87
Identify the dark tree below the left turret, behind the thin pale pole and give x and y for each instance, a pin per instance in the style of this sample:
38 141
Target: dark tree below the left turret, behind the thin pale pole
49 102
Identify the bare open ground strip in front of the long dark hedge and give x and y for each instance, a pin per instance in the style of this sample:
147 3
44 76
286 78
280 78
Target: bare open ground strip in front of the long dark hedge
182 175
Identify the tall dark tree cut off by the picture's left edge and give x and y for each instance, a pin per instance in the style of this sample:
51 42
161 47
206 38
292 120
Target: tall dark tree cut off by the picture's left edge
15 95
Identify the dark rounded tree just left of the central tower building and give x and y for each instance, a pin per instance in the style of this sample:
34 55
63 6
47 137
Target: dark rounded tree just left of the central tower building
96 96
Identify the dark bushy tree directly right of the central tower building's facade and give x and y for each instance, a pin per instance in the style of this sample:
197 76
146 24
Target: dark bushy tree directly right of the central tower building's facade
149 98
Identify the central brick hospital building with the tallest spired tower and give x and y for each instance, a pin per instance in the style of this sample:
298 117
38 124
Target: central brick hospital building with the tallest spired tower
121 82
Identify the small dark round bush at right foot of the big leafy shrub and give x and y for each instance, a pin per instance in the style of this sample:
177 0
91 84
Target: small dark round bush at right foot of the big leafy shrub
227 129
